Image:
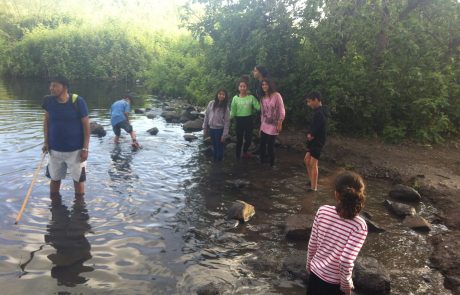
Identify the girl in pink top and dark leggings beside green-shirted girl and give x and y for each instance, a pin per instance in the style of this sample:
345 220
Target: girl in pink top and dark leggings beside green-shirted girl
271 120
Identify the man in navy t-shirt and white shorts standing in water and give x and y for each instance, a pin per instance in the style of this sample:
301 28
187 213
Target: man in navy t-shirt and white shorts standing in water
66 131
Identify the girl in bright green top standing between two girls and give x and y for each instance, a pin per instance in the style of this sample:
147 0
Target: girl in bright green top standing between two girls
243 107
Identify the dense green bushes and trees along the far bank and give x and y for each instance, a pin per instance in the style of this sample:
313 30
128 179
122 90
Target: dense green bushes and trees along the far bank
385 68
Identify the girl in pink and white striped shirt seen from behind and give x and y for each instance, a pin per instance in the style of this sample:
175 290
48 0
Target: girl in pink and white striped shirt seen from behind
336 238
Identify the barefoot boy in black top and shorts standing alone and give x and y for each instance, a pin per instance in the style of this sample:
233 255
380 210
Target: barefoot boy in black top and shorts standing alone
316 138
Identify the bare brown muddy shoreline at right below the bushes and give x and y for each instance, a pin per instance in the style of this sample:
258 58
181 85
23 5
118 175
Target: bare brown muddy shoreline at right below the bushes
433 170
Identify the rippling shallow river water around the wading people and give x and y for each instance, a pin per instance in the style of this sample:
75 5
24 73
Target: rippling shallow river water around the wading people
153 220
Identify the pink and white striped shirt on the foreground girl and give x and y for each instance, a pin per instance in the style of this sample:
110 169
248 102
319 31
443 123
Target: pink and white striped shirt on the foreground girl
334 245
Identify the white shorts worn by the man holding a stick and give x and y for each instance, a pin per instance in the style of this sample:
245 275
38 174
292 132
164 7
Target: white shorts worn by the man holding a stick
60 162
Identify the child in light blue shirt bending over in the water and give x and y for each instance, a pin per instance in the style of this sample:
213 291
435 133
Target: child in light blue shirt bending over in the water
119 118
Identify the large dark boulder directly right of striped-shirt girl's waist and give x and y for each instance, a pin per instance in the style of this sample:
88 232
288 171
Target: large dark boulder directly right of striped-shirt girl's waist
371 277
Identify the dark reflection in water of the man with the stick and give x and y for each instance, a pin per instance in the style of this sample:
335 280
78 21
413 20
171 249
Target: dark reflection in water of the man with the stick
66 233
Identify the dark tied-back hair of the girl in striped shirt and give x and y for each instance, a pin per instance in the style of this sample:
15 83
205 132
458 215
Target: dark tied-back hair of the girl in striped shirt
350 187
